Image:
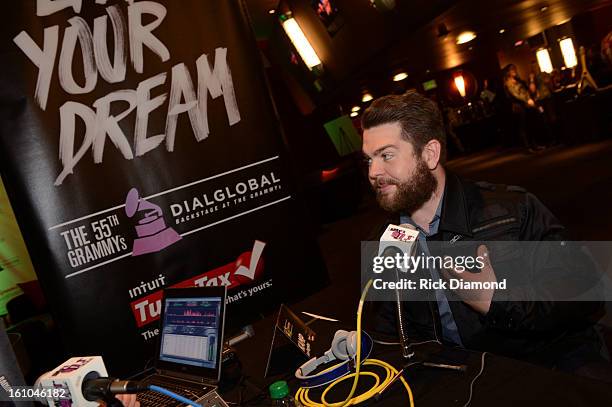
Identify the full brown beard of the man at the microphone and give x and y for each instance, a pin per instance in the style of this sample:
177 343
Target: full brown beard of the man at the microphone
410 195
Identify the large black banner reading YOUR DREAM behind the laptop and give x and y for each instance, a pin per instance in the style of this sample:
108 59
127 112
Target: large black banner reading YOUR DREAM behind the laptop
140 150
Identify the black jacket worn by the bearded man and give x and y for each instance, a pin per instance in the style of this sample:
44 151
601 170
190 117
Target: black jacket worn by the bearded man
552 333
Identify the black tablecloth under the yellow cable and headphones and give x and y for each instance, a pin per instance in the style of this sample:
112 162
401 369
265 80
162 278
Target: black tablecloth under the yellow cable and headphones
504 382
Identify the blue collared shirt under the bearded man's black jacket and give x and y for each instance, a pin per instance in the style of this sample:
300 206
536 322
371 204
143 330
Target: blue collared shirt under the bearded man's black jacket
450 332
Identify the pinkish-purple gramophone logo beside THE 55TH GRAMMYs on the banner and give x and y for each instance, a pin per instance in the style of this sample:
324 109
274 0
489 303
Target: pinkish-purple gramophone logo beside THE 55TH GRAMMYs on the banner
153 234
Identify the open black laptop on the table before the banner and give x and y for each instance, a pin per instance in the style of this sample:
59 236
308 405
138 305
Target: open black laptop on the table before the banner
190 345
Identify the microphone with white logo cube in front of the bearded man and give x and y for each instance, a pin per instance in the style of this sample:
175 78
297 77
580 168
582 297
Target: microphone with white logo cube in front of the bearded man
399 240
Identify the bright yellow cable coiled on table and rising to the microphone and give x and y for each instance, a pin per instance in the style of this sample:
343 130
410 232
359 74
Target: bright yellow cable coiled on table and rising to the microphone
302 394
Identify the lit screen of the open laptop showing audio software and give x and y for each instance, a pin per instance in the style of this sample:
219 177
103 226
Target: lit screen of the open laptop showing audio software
191 337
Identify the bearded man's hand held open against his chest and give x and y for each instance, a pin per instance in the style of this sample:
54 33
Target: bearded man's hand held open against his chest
480 300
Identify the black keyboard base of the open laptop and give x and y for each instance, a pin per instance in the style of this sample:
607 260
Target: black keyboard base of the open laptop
154 399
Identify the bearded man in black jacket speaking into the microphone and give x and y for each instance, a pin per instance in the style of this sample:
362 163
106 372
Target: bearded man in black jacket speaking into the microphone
404 145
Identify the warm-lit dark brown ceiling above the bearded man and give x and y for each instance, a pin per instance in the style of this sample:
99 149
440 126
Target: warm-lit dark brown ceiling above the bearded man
371 45
